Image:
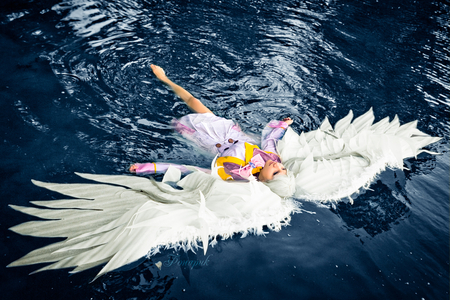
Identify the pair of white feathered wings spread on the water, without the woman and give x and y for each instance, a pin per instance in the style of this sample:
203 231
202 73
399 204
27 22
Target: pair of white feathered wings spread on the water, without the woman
120 219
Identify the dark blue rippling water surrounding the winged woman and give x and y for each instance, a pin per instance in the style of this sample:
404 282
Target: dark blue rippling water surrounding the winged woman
77 95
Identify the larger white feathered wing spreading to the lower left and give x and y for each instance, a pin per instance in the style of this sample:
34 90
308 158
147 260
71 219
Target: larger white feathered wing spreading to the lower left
119 219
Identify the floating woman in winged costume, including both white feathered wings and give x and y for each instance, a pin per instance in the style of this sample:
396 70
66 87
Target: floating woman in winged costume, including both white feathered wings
119 219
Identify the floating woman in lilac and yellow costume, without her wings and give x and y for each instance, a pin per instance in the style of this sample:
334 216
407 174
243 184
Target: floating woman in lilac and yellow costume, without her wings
238 156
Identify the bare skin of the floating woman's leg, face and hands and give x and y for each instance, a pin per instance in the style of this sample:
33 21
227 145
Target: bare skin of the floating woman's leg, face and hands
270 169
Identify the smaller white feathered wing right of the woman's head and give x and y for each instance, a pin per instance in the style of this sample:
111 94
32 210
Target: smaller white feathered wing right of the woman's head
332 163
